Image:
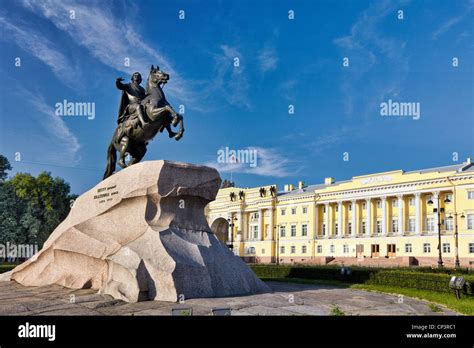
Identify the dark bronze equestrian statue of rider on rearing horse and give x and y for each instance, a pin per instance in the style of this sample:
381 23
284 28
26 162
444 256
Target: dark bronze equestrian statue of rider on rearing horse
142 114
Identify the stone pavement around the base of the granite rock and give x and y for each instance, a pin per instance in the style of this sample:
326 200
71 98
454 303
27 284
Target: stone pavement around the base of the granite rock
286 299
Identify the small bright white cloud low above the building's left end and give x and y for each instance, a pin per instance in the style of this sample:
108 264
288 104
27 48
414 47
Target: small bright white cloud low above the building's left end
269 163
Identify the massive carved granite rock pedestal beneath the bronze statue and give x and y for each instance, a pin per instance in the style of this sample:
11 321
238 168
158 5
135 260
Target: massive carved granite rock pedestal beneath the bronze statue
141 234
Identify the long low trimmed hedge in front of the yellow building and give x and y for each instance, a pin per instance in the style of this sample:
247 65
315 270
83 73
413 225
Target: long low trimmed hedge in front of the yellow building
401 277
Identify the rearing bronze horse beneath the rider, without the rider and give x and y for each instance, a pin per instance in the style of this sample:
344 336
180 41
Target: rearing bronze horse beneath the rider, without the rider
158 113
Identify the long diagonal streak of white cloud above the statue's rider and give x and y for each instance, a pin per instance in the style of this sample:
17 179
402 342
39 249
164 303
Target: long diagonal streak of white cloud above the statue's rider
109 39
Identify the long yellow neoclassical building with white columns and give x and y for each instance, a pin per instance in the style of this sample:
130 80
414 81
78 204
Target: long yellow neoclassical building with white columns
389 218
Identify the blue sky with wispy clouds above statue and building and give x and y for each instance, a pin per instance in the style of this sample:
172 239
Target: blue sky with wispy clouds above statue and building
282 62
